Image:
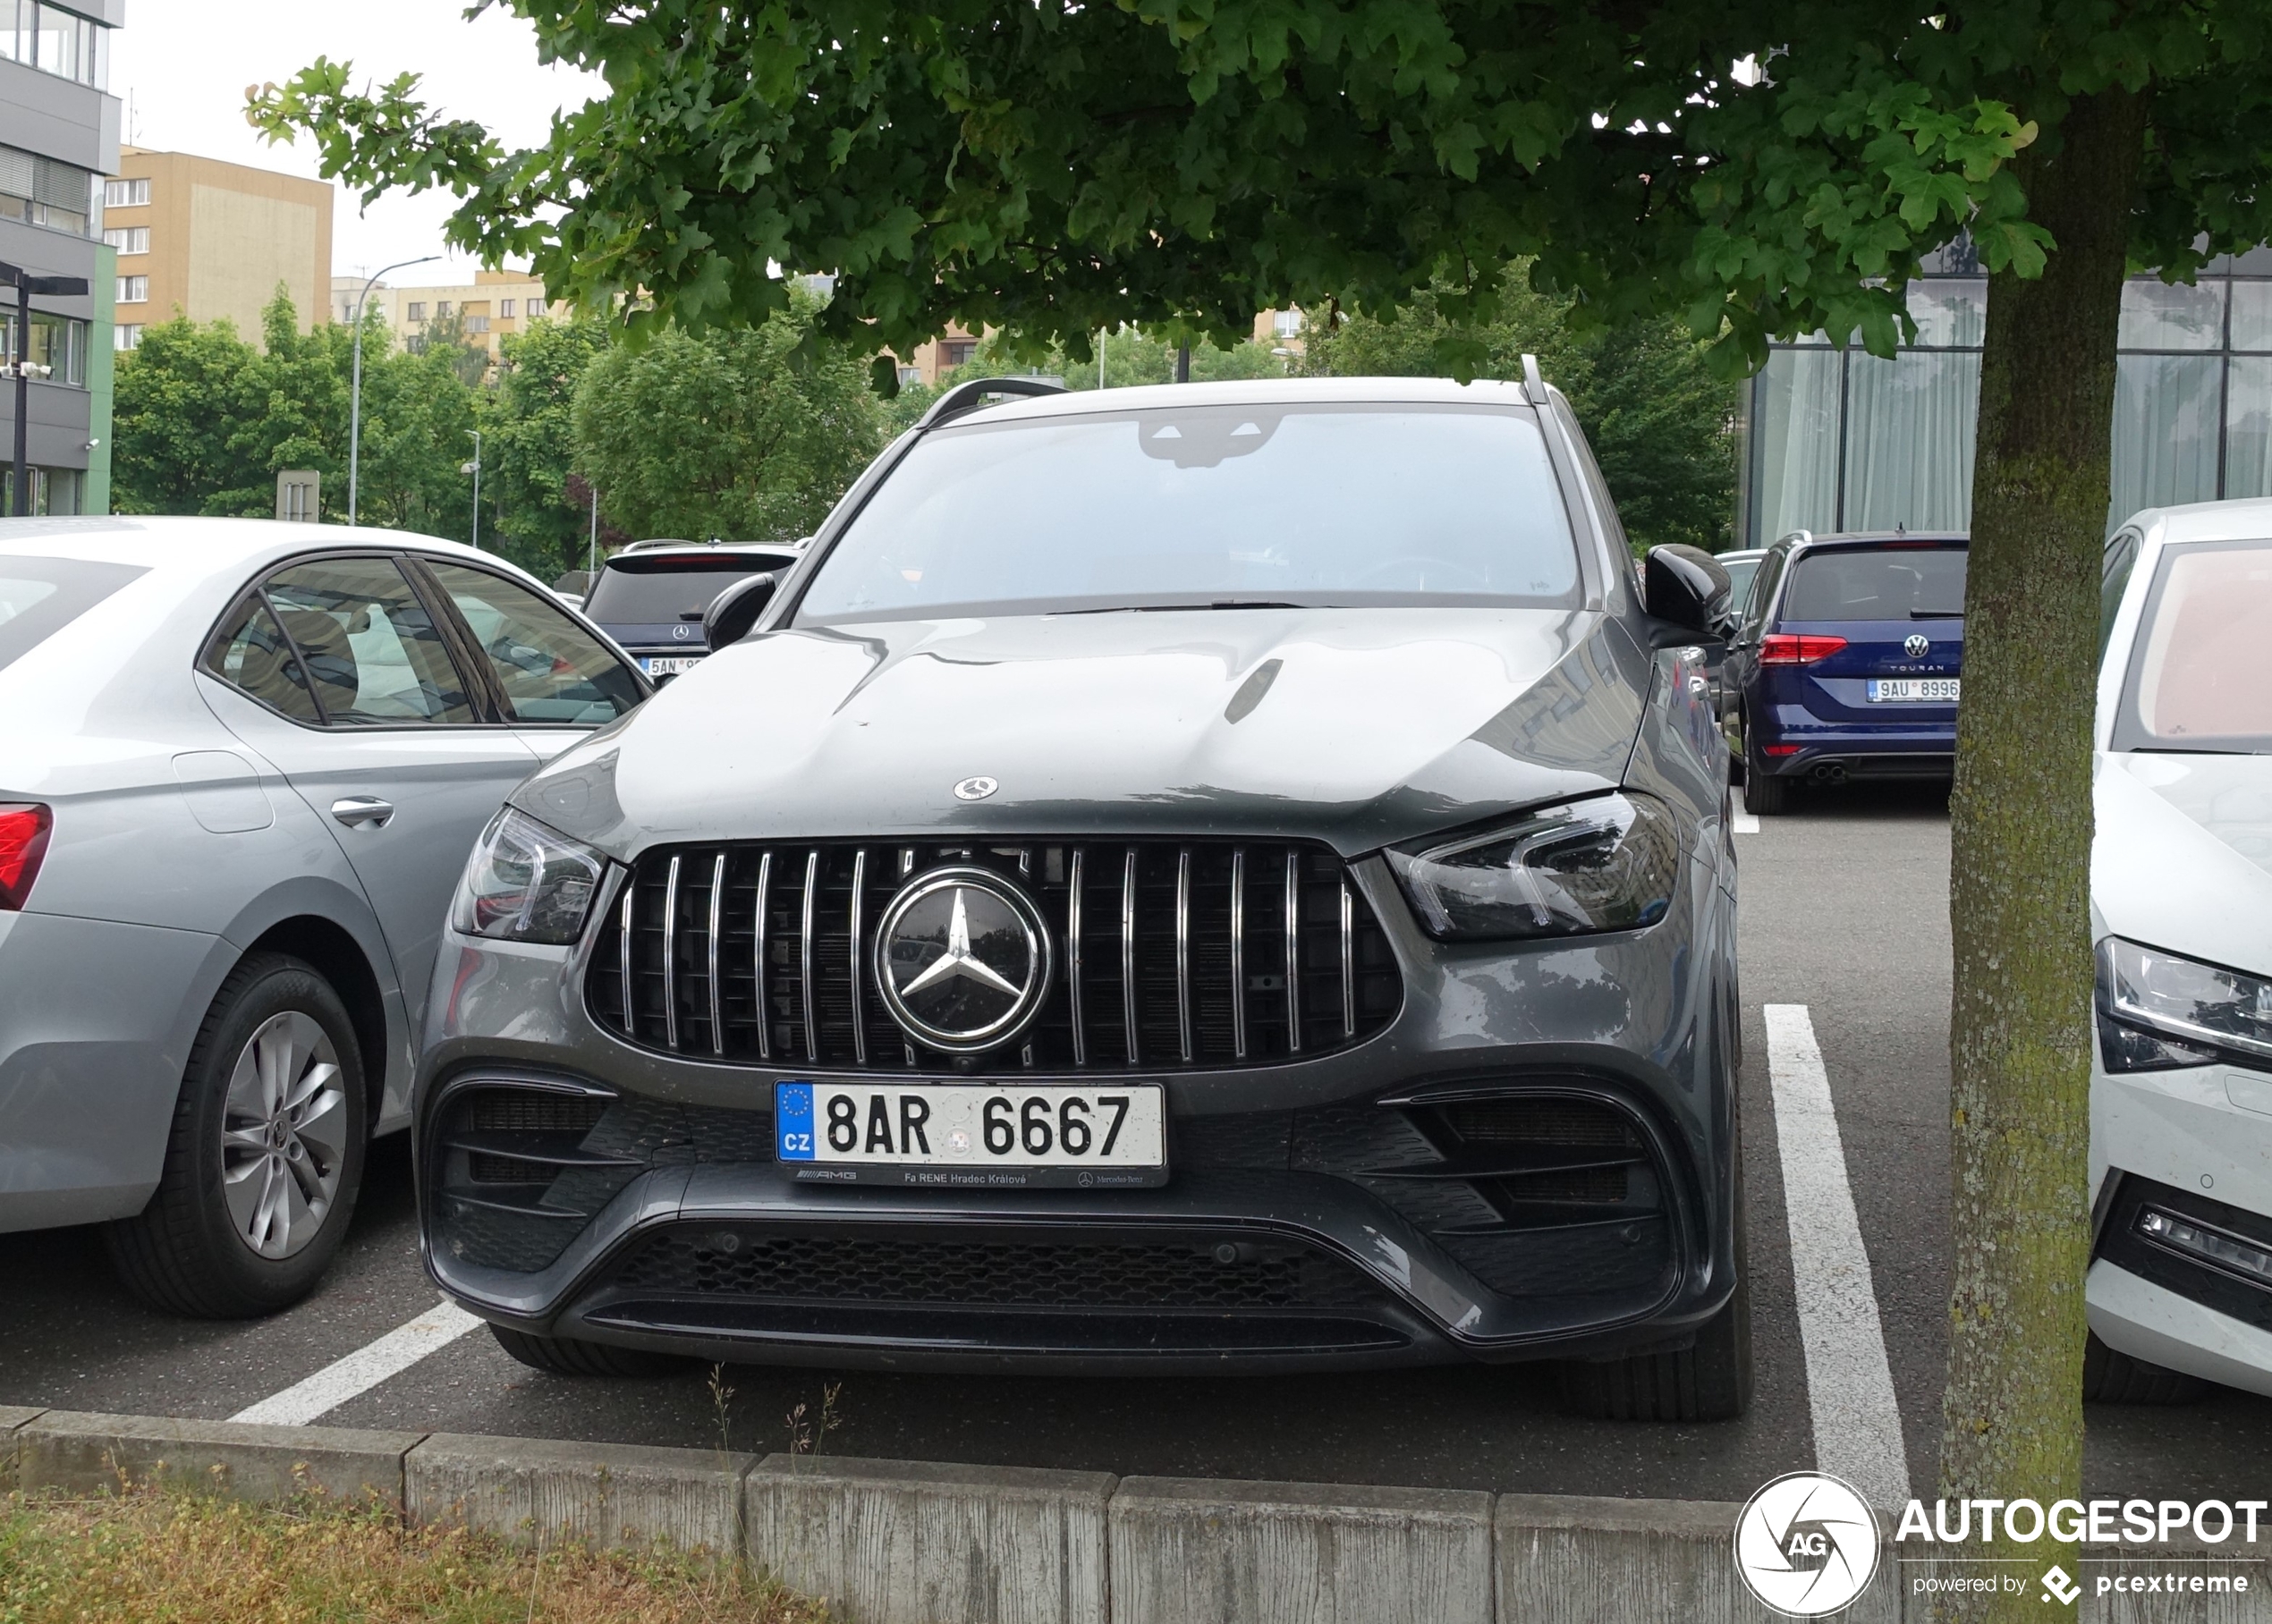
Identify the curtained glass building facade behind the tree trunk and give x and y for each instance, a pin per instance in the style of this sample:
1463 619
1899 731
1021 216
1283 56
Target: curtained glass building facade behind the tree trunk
1839 440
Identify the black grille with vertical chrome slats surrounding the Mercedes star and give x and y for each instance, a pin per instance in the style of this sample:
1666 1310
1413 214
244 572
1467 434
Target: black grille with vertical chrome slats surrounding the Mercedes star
1178 955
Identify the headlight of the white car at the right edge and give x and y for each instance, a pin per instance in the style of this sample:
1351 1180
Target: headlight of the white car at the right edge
2162 1012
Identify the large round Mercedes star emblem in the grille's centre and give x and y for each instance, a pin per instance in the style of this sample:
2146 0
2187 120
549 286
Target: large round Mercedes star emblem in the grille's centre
962 960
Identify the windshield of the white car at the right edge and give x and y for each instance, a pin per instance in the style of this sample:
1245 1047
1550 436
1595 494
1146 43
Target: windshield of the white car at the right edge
2196 678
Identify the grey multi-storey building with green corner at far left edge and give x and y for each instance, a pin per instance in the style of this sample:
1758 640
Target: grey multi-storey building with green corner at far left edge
58 142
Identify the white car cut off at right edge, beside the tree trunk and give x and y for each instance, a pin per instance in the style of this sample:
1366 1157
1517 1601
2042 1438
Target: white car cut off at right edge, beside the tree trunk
2182 914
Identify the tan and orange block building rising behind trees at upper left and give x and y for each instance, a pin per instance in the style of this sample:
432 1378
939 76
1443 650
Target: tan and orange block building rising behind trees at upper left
208 240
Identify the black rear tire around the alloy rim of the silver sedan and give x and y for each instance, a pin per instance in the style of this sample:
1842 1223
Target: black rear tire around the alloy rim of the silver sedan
183 1253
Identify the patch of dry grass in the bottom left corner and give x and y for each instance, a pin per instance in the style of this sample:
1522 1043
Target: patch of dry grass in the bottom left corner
187 1559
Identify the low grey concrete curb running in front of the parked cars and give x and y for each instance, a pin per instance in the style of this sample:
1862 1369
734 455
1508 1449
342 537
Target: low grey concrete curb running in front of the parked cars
919 1543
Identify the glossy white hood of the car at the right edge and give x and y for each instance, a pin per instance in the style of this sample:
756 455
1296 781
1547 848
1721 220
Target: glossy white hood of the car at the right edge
2182 857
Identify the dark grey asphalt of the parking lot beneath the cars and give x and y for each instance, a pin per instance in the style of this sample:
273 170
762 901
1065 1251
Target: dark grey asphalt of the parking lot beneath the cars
1844 912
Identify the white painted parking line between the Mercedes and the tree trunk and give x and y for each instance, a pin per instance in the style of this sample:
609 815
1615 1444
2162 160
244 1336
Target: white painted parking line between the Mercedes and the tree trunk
1848 1382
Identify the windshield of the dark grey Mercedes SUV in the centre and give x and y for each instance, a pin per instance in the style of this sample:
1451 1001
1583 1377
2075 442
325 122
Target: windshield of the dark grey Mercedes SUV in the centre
1208 505
